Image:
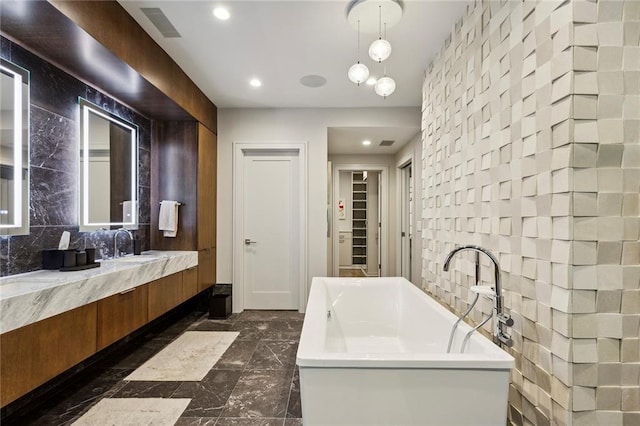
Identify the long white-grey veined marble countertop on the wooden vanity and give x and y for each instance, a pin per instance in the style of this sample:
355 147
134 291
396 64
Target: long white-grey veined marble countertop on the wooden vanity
34 296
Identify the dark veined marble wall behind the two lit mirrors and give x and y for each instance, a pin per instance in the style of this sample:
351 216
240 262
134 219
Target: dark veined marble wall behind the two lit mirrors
54 142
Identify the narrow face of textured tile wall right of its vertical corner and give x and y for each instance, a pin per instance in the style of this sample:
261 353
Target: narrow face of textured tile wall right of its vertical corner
604 280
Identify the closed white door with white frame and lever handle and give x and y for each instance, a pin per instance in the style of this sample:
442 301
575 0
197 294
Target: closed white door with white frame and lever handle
269 231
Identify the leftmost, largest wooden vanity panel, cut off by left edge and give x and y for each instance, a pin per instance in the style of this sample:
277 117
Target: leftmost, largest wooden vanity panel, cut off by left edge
36 353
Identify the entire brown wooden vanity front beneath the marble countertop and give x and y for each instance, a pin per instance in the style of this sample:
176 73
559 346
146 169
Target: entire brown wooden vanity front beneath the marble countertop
33 354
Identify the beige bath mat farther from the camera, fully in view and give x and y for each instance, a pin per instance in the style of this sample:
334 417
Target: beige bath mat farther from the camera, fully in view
188 358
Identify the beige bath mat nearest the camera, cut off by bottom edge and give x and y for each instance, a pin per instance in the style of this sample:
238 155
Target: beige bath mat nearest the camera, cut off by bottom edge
134 412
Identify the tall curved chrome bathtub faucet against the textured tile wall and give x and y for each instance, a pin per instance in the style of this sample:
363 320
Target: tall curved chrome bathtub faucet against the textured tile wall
503 320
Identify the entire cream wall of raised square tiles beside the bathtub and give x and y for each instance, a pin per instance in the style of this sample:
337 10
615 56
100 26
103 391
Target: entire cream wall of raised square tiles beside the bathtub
530 148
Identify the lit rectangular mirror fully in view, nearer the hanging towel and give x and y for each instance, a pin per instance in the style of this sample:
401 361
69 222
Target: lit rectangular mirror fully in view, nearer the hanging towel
108 168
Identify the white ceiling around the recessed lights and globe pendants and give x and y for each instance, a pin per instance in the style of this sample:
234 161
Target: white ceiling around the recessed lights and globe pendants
279 42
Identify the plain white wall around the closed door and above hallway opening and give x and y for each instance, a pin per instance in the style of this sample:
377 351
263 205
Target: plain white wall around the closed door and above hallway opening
294 125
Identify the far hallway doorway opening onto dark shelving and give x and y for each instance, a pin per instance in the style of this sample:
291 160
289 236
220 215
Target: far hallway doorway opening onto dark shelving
359 231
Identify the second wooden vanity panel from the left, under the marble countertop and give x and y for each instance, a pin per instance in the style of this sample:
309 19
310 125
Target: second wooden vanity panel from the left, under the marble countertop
121 314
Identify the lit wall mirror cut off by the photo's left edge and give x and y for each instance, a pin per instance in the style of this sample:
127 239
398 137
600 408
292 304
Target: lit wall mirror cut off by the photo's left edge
14 149
